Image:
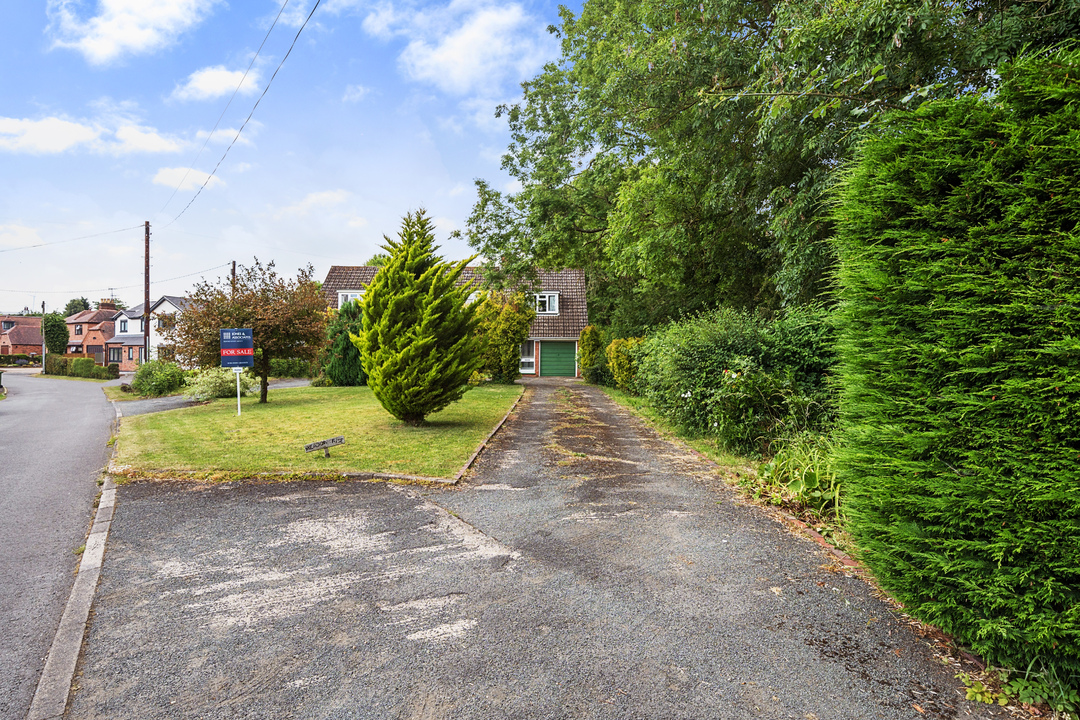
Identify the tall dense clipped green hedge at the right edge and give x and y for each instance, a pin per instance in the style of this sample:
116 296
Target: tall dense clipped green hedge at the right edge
961 348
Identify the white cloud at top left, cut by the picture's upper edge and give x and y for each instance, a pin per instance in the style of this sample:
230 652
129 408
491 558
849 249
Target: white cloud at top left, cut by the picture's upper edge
124 26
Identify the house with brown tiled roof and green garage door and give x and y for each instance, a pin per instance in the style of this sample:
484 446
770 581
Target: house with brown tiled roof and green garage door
551 349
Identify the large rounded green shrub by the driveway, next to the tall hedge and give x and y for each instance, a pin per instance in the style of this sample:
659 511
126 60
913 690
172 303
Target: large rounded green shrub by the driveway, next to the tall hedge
741 379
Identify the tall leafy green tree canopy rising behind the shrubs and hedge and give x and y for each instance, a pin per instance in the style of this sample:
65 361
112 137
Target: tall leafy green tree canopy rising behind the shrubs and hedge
681 152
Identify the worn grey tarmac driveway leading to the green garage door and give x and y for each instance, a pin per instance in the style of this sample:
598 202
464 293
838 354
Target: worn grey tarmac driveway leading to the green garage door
587 568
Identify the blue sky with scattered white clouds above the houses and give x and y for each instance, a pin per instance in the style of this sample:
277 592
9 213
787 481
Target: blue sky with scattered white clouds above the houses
383 107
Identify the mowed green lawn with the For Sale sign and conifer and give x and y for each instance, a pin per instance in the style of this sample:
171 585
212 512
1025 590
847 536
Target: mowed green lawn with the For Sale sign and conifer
271 439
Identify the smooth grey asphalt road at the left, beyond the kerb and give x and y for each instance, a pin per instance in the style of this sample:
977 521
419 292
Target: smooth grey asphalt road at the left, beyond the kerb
53 446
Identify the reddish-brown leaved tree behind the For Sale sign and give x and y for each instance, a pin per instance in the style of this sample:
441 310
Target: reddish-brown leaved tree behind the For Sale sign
287 317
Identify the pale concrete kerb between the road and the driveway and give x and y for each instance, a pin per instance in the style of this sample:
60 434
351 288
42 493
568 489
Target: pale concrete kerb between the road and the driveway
51 697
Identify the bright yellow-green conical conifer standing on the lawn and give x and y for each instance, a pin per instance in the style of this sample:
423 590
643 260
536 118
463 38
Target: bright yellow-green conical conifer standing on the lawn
418 342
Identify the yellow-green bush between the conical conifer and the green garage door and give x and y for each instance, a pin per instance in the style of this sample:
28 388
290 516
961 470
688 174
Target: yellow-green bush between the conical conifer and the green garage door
505 321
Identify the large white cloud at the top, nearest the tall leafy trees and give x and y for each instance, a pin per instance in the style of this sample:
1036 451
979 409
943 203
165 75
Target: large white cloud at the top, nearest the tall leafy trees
467 47
